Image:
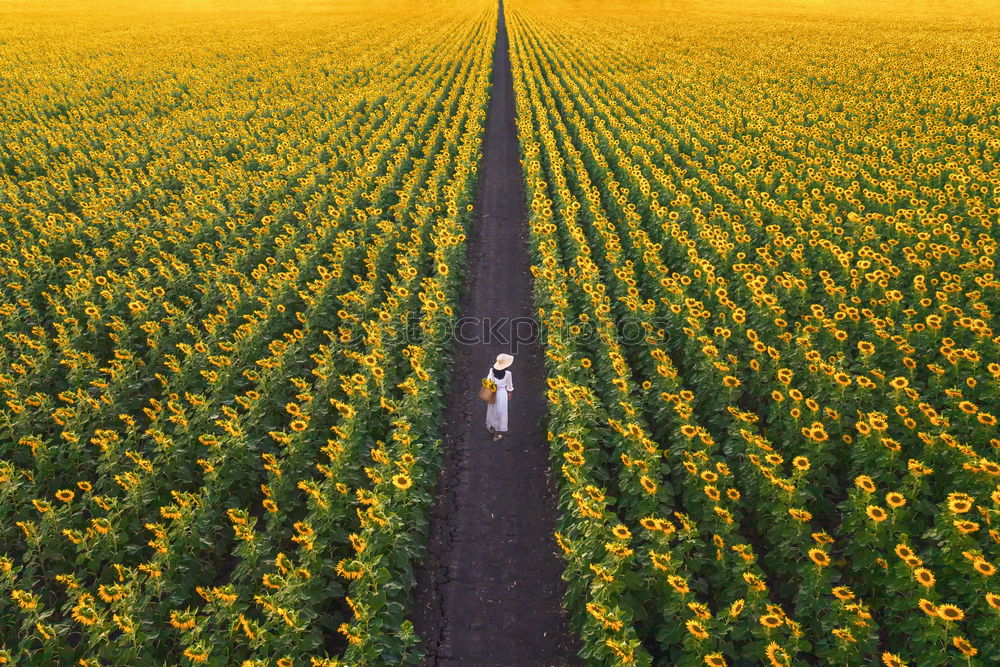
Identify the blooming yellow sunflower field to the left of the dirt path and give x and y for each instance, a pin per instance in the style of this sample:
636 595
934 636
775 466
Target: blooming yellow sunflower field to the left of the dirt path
214 219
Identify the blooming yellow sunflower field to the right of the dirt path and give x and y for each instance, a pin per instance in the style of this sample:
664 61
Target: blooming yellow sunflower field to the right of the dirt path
795 205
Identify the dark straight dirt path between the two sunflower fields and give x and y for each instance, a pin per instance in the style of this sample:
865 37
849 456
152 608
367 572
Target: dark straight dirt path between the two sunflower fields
490 592
